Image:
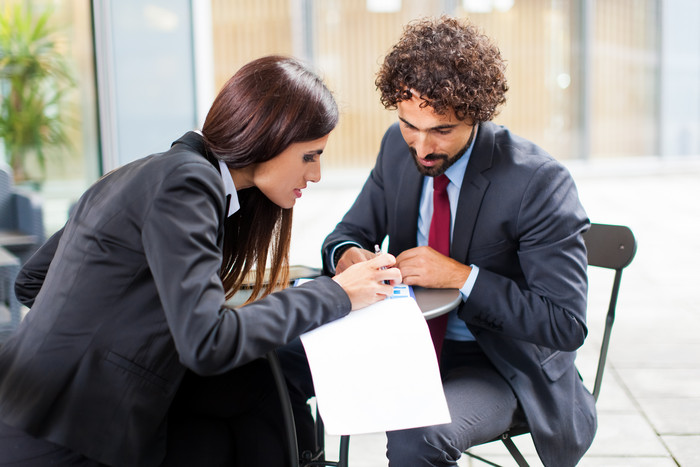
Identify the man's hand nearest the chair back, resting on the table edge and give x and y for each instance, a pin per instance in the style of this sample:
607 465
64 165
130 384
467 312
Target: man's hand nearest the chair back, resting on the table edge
426 267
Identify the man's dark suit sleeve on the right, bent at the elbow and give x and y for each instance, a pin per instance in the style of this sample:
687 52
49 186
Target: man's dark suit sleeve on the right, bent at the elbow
547 305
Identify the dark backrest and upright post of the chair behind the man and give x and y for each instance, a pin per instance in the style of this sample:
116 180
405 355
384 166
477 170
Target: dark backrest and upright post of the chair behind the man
611 247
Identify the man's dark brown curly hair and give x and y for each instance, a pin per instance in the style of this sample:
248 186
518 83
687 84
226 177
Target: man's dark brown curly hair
451 64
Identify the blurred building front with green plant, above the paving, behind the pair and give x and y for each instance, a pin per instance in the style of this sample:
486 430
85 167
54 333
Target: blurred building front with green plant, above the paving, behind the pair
589 80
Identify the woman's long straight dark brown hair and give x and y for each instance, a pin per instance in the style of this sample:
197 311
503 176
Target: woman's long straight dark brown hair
267 105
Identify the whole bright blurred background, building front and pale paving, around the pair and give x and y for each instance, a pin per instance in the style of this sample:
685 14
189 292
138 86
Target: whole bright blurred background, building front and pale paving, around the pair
609 87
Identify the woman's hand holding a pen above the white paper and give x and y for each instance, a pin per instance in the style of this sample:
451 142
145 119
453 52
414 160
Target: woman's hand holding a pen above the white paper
364 281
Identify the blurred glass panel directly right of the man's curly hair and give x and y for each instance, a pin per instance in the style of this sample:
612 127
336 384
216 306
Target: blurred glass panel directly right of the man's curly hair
538 40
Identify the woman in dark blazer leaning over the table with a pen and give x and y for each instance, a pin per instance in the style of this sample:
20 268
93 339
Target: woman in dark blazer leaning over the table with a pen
128 352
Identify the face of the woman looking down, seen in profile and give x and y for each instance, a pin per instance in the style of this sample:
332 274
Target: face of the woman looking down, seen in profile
283 177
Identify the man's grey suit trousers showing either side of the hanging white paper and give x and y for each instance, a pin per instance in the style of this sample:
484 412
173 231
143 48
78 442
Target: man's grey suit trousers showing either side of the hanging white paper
482 406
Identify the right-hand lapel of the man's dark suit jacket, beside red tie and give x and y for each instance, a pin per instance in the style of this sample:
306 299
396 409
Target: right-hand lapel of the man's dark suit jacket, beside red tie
472 193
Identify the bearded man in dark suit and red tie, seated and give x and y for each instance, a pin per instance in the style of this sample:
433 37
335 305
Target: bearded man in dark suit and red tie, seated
513 248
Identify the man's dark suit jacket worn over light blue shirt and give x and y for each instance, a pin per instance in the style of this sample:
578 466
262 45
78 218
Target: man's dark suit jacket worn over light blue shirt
520 220
